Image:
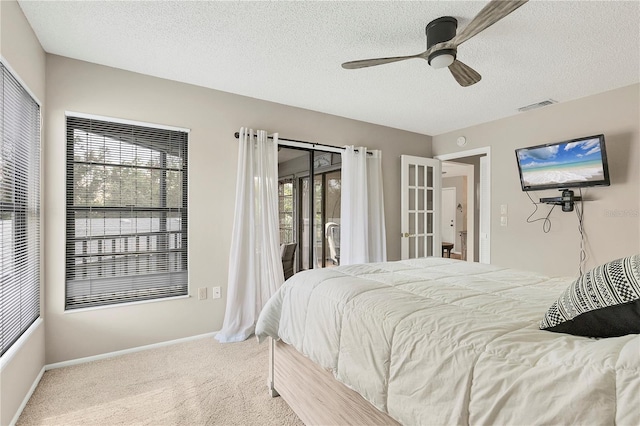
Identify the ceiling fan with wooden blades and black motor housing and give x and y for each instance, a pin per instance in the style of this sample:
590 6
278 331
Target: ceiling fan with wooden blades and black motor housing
443 42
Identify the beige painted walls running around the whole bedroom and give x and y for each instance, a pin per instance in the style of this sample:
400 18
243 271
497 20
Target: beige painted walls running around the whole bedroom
611 221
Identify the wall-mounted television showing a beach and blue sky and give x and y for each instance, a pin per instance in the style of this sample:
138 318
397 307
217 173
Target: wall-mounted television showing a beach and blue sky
575 163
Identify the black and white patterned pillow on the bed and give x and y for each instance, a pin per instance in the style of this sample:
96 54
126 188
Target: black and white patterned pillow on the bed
604 302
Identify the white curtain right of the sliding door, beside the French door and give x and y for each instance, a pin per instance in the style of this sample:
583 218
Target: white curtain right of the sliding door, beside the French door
362 230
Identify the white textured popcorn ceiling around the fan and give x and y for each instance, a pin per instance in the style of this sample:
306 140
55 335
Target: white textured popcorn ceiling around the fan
290 52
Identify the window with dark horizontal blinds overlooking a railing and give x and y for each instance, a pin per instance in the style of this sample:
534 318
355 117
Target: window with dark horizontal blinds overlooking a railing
126 213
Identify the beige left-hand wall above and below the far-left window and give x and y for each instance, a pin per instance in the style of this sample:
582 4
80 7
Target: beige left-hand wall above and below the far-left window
22 52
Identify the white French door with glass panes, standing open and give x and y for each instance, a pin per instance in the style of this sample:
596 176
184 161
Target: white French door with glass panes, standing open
421 184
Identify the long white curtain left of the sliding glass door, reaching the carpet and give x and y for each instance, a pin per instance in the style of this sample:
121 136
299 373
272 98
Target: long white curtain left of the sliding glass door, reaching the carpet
255 266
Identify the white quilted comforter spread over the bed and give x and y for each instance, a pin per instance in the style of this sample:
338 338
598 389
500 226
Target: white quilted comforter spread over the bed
439 341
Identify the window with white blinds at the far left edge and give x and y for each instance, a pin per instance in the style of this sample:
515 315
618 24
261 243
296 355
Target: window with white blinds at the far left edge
19 210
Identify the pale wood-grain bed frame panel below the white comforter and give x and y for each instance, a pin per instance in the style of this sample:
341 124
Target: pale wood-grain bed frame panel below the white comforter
314 394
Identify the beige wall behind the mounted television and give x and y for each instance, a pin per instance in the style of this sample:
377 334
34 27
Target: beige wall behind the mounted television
611 213
